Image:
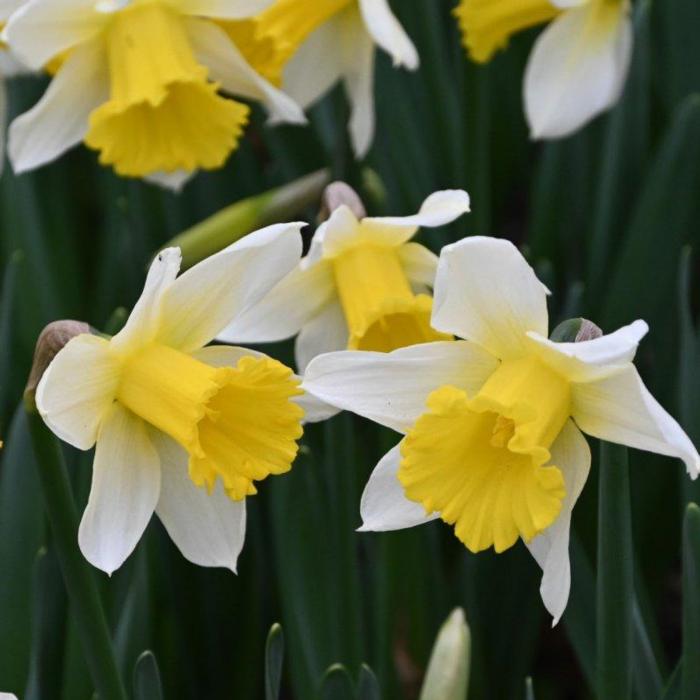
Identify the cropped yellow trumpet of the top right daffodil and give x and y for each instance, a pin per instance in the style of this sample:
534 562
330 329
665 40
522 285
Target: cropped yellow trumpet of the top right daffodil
488 24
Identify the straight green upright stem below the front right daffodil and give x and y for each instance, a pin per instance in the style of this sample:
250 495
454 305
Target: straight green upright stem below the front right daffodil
615 592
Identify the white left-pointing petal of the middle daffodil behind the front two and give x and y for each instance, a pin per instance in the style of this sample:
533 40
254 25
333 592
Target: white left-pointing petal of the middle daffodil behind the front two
285 309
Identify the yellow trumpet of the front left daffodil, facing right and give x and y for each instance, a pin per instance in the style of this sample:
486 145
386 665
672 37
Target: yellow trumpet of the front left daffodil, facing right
236 423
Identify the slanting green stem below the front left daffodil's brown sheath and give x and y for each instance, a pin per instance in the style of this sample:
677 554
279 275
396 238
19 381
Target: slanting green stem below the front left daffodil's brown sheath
85 602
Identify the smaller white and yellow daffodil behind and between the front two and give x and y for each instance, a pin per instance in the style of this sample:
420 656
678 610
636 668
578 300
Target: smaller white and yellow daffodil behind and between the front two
362 286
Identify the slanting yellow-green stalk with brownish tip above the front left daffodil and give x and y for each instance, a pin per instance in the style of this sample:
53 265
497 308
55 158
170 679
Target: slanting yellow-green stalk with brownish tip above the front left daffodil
237 220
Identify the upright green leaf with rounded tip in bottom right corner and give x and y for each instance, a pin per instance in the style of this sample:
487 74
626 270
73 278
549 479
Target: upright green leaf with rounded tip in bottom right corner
690 687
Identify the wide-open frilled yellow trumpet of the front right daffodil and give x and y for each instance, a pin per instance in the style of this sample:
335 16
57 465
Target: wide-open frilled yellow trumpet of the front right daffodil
482 463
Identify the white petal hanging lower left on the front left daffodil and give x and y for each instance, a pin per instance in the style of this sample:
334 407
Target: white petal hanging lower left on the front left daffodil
124 493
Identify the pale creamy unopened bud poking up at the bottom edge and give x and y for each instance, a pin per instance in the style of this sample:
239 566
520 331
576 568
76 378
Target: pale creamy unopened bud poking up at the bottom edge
447 677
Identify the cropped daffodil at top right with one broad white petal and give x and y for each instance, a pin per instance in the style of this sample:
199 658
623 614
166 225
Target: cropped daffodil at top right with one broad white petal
578 65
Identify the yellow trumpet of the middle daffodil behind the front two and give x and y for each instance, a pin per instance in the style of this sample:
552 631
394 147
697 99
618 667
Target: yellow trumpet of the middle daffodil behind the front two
381 310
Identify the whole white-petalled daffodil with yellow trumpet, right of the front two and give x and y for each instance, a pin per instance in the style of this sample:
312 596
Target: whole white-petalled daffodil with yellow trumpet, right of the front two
493 425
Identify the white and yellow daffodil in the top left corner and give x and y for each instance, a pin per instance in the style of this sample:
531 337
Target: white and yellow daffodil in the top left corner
138 81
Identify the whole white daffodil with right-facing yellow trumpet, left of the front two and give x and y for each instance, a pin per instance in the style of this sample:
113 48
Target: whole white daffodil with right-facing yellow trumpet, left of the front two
180 429
